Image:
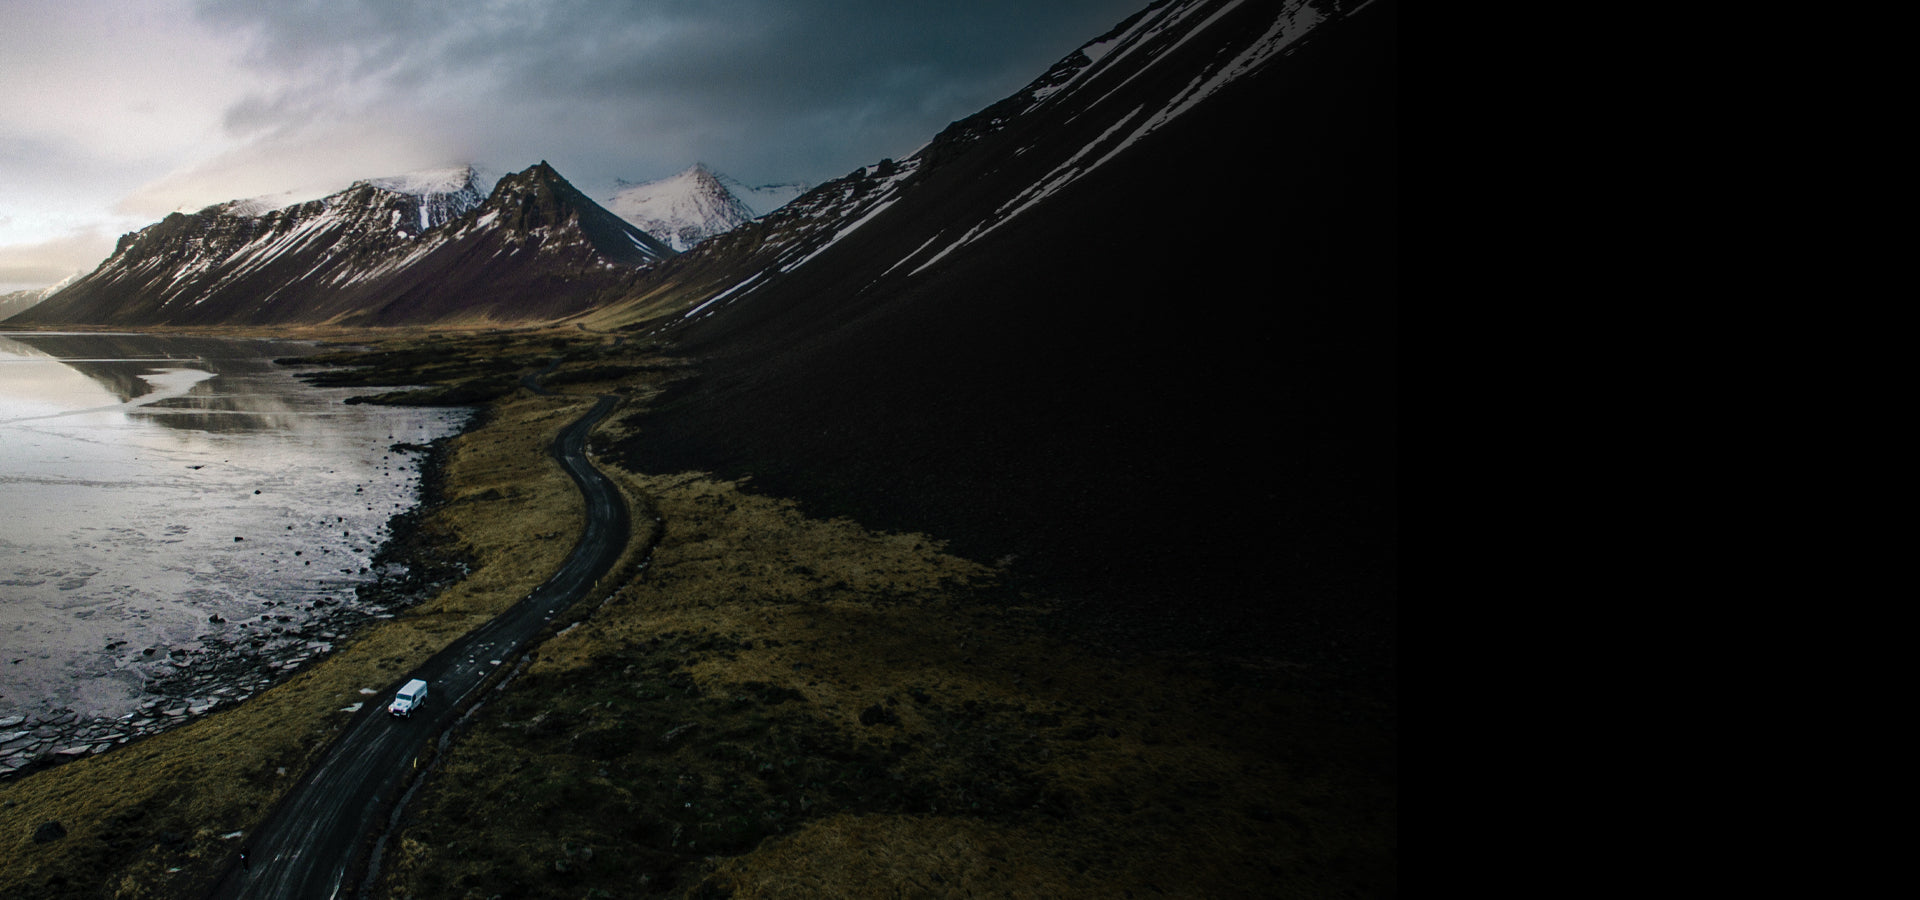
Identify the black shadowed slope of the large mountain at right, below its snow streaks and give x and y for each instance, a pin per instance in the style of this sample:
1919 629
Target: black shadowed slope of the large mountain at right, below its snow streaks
1168 391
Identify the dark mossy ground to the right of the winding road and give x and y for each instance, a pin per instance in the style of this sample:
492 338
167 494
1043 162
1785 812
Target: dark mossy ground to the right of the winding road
788 707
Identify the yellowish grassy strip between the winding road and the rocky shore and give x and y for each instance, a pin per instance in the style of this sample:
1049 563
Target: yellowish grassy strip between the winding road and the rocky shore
164 815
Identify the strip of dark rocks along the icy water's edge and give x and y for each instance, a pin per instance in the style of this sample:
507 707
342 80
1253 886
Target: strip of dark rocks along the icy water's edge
258 653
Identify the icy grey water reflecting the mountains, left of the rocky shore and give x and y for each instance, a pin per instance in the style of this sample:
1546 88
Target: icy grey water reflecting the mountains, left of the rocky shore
170 504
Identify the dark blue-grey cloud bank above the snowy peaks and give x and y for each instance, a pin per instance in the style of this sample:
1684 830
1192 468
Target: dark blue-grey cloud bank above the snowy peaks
788 89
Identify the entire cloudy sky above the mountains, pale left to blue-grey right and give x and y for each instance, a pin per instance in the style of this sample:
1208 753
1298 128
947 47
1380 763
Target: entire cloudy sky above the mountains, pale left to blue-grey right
120 112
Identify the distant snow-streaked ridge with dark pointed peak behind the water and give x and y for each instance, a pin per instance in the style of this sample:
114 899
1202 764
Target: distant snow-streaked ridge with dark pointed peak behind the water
427 247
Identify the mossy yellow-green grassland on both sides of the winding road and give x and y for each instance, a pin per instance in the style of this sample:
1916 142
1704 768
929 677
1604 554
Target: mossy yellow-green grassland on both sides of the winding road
775 705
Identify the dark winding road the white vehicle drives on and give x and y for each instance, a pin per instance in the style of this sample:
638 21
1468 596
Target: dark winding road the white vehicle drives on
314 843
